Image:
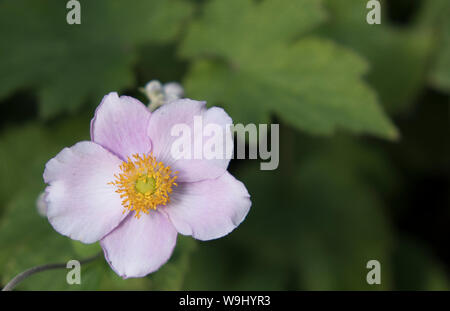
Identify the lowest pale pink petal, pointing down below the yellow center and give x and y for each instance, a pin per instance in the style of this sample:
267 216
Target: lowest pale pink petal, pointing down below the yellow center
140 246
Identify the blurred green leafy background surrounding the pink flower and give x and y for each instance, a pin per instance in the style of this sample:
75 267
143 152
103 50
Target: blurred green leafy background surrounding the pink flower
350 183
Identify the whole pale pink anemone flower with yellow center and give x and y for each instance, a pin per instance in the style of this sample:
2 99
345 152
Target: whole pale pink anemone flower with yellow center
124 189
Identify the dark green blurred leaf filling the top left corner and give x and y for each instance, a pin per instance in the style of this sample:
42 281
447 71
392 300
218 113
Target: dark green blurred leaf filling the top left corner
69 64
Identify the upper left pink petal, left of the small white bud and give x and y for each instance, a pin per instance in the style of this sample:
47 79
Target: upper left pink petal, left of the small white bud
120 125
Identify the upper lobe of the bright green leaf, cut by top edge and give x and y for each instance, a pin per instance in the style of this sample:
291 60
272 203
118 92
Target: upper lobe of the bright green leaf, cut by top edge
245 26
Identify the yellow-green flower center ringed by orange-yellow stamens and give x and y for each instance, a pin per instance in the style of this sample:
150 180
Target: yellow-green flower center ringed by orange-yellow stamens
144 183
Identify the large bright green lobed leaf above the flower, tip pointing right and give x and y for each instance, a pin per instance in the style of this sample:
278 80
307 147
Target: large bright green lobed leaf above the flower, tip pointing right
259 67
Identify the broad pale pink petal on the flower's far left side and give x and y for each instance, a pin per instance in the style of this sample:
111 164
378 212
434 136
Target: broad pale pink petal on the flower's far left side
80 202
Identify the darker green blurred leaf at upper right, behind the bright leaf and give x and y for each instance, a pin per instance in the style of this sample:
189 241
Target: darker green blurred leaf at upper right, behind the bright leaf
398 57
